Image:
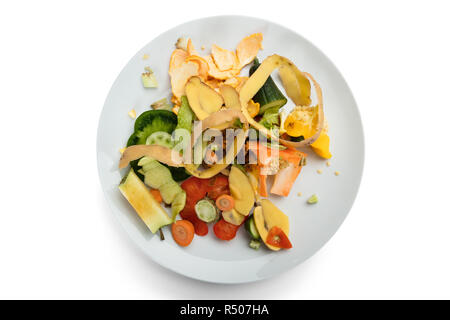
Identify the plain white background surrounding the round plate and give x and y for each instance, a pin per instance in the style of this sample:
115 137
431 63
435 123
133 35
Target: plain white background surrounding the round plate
58 60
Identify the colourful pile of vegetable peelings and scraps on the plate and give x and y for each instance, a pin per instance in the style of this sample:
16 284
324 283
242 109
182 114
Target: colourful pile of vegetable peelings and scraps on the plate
209 92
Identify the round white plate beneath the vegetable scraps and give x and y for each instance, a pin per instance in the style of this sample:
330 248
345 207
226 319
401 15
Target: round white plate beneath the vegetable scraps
208 258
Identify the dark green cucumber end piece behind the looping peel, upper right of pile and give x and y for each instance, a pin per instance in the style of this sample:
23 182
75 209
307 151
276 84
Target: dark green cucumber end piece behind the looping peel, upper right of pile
269 96
